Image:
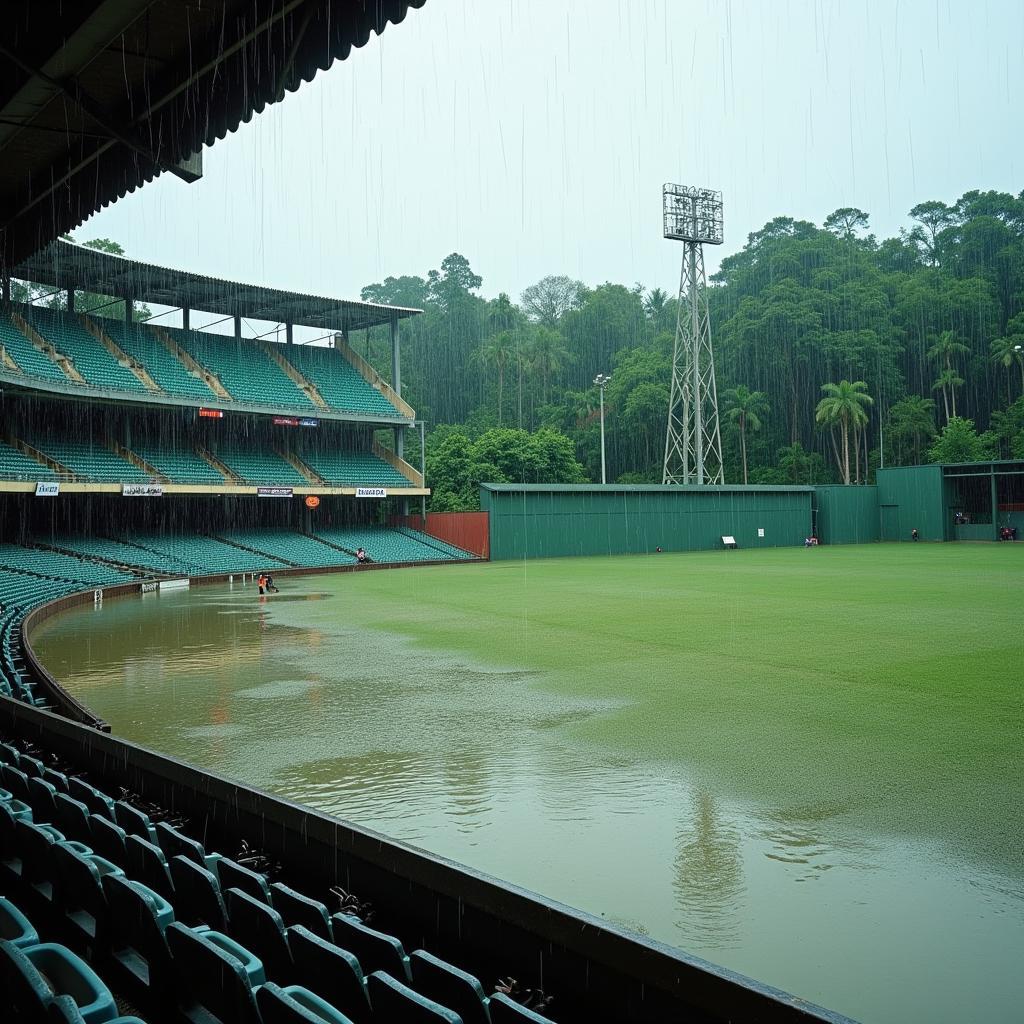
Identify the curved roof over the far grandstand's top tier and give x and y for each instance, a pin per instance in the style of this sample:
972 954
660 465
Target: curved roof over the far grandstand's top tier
64 266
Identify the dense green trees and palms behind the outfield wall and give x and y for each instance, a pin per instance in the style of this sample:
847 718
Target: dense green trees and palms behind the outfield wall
927 329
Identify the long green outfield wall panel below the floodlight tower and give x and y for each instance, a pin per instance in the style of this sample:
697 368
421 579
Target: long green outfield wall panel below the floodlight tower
556 521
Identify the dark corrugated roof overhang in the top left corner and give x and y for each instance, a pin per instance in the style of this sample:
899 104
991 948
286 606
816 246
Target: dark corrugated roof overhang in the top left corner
100 97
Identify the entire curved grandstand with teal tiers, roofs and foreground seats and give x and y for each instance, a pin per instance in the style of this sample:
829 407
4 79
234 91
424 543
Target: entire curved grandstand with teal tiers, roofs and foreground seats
134 457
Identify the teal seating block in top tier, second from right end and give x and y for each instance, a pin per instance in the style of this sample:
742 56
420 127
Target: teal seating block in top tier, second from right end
244 368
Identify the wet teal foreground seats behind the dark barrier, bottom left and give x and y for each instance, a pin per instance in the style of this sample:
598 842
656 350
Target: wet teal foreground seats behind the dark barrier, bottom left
170 923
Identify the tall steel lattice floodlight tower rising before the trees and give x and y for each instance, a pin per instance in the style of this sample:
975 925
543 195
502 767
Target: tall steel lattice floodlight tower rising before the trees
694 442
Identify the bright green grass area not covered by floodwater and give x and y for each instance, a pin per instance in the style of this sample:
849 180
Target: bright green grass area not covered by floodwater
880 682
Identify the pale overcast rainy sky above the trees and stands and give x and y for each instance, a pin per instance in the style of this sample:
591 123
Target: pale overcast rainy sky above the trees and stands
534 137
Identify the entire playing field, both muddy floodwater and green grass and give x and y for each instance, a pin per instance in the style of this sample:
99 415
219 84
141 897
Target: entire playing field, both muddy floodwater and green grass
805 766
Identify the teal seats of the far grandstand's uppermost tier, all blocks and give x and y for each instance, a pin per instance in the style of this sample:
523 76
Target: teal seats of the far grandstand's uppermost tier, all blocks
244 368
